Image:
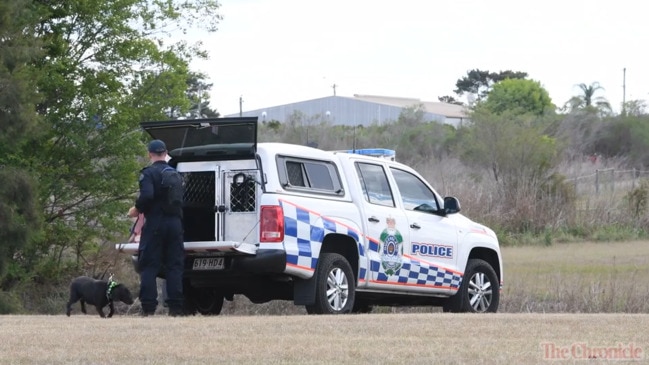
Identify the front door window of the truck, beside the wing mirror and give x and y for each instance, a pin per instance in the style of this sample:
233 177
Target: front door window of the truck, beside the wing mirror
415 193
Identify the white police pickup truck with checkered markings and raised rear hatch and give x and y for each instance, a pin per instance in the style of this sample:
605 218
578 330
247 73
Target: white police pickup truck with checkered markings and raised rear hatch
336 232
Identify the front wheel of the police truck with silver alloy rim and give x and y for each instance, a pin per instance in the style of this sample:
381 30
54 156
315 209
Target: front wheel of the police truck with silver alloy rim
479 291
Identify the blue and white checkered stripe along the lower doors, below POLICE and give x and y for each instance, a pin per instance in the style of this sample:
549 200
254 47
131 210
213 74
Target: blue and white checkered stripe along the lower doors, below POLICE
415 272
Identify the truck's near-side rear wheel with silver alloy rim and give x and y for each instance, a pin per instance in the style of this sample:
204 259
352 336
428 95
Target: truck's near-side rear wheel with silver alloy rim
335 286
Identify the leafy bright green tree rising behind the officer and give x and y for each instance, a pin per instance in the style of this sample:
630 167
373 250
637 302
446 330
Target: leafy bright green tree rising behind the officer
109 66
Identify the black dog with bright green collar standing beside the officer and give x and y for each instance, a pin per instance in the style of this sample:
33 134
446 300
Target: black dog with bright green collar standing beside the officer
98 293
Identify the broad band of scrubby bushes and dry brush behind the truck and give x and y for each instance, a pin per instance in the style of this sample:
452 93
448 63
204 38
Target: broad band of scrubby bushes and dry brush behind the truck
515 170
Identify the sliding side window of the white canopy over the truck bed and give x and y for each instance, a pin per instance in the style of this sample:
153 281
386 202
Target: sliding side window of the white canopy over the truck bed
301 174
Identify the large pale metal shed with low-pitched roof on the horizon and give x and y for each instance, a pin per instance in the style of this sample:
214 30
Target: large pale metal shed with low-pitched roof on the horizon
358 110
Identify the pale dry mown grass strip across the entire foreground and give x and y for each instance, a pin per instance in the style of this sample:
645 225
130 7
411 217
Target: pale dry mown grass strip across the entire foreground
432 338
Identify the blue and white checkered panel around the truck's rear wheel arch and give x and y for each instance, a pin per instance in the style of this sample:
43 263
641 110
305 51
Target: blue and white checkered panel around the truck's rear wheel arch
304 231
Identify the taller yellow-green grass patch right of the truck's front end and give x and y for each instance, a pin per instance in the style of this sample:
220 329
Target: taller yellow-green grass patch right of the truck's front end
577 277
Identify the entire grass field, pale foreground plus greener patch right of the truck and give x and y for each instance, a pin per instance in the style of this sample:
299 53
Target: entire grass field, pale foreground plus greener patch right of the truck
571 290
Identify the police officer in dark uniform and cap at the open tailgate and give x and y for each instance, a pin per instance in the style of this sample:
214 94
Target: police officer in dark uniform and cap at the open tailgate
161 243
